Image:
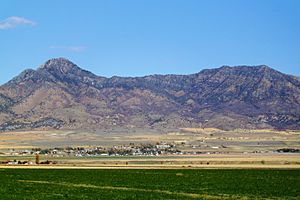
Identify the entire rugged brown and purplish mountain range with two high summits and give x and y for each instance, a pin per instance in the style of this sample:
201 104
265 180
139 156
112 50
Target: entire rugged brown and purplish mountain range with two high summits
59 94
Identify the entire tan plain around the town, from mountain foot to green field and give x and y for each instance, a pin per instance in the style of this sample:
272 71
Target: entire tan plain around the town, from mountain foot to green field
221 149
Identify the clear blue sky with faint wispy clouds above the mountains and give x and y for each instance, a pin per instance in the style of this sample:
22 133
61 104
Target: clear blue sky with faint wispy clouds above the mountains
141 37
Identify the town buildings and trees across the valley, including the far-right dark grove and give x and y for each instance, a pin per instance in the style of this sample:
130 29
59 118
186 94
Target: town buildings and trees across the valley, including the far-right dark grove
158 149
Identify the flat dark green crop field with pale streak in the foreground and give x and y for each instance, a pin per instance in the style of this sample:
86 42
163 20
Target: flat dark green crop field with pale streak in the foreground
149 184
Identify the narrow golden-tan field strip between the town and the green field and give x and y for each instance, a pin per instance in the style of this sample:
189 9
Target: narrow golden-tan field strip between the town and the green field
199 161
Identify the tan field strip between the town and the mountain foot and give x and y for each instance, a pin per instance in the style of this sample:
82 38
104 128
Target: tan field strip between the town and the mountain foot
186 139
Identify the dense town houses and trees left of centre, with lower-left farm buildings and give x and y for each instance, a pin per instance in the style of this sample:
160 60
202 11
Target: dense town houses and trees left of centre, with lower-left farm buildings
121 150
